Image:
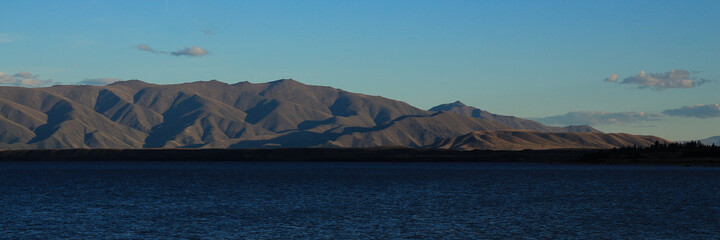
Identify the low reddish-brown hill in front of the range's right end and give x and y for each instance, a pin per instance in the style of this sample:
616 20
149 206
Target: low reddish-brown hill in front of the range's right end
524 139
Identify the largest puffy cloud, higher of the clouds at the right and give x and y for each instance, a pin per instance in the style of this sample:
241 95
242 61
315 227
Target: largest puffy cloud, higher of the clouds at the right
676 78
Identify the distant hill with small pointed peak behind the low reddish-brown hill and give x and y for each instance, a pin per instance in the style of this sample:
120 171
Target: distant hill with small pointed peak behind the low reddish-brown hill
513 122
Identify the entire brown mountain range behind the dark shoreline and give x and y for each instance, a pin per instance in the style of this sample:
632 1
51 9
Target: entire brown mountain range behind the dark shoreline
283 113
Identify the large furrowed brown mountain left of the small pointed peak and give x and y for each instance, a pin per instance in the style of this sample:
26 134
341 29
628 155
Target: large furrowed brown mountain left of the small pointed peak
132 114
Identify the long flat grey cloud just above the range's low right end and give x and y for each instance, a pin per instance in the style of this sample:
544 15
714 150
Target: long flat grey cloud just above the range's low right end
595 118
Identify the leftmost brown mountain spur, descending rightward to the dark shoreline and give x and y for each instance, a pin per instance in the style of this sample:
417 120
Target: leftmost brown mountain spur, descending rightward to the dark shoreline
58 122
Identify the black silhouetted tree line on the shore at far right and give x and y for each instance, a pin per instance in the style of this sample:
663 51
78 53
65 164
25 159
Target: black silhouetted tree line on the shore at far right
659 151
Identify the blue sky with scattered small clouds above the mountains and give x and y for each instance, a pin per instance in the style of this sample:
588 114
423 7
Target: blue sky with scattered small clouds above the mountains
642 67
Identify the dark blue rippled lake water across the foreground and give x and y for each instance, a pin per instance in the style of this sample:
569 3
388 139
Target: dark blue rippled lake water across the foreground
356 200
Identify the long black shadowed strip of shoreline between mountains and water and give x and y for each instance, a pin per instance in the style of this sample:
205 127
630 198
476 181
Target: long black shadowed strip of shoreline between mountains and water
575 156
